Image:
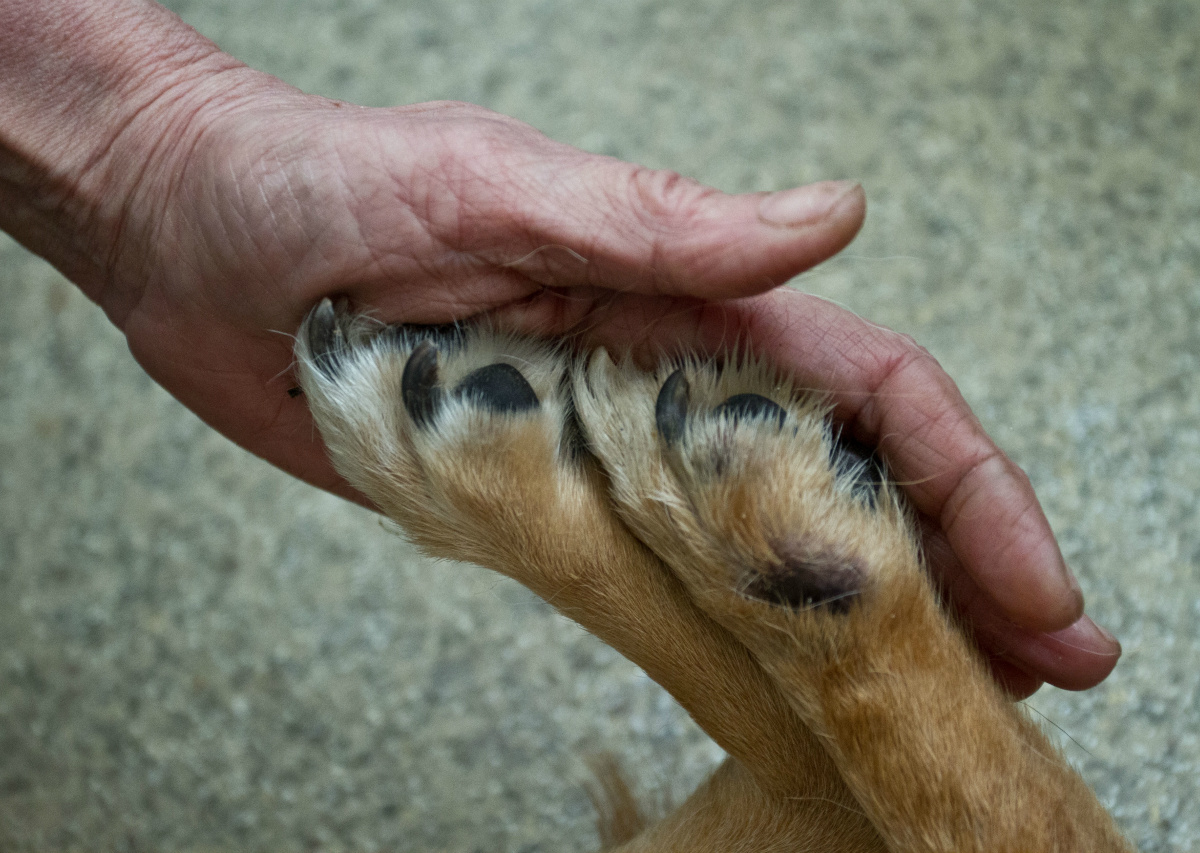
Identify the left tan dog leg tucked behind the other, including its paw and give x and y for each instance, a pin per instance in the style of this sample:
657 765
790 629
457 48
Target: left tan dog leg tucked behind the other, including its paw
467 440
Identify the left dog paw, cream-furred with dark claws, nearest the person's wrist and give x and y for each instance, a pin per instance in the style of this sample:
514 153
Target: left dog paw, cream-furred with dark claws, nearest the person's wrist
458 434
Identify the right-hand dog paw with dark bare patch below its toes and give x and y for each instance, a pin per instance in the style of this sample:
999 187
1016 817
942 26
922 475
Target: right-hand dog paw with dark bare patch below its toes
743 486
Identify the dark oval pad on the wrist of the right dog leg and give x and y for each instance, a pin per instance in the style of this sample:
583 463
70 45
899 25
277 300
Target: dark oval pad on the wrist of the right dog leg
806 582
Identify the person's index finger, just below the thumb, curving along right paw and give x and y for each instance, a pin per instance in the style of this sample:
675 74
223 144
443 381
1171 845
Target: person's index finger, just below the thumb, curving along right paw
892 394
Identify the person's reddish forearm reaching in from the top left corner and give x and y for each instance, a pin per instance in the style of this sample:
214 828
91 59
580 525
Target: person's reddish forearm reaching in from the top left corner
97 98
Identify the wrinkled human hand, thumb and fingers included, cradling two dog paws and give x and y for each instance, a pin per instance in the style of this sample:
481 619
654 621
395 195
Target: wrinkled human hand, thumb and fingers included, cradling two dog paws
256 201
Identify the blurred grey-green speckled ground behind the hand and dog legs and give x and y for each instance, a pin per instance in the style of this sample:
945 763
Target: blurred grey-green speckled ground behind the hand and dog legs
199 653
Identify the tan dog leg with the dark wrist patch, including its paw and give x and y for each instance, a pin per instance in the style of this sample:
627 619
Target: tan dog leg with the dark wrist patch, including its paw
799 546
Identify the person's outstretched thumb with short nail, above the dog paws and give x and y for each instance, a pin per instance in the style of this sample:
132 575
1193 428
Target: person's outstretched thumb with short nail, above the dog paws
629 229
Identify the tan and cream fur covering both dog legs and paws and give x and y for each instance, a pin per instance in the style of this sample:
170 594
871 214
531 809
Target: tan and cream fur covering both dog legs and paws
866 726
